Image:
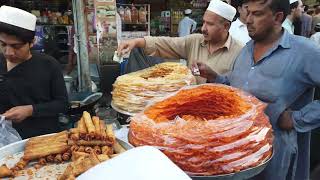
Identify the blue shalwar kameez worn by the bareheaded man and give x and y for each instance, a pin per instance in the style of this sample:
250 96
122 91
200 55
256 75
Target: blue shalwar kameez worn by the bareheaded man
285 78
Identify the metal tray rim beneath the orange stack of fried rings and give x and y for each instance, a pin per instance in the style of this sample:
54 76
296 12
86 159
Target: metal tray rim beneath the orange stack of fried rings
244 174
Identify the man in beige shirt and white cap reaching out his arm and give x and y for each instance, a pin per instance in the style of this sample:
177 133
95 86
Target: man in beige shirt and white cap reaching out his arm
214 46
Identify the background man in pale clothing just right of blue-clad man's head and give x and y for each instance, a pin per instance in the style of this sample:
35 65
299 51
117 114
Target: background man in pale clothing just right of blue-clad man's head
296 9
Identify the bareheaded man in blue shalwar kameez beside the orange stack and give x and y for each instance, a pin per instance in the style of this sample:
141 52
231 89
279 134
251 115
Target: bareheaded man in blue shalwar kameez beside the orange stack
282 70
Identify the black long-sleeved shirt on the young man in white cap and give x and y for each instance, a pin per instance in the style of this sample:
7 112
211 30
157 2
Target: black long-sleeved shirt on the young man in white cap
38 82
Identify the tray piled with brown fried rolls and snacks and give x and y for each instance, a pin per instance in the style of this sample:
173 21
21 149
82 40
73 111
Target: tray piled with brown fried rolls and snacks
61 155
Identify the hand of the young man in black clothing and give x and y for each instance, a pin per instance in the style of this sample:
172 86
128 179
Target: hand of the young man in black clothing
19 113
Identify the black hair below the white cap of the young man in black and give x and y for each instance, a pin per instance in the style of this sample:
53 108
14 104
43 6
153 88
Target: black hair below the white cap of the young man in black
22 34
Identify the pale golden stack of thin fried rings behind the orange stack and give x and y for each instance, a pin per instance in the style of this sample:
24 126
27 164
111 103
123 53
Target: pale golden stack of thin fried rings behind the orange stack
132 92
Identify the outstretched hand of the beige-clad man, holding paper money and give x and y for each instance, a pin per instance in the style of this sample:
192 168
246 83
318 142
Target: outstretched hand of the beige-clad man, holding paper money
126 46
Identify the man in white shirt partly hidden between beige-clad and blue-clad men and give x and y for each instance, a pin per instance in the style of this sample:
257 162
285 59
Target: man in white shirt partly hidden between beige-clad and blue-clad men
238 29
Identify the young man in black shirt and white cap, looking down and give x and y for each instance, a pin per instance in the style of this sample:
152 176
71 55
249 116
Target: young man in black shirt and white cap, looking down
32 88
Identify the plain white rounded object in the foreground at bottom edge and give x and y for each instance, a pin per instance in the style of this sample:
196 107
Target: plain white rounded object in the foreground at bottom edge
140 163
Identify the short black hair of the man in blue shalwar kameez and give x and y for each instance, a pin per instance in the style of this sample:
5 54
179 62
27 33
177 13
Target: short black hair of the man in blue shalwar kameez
277 6
